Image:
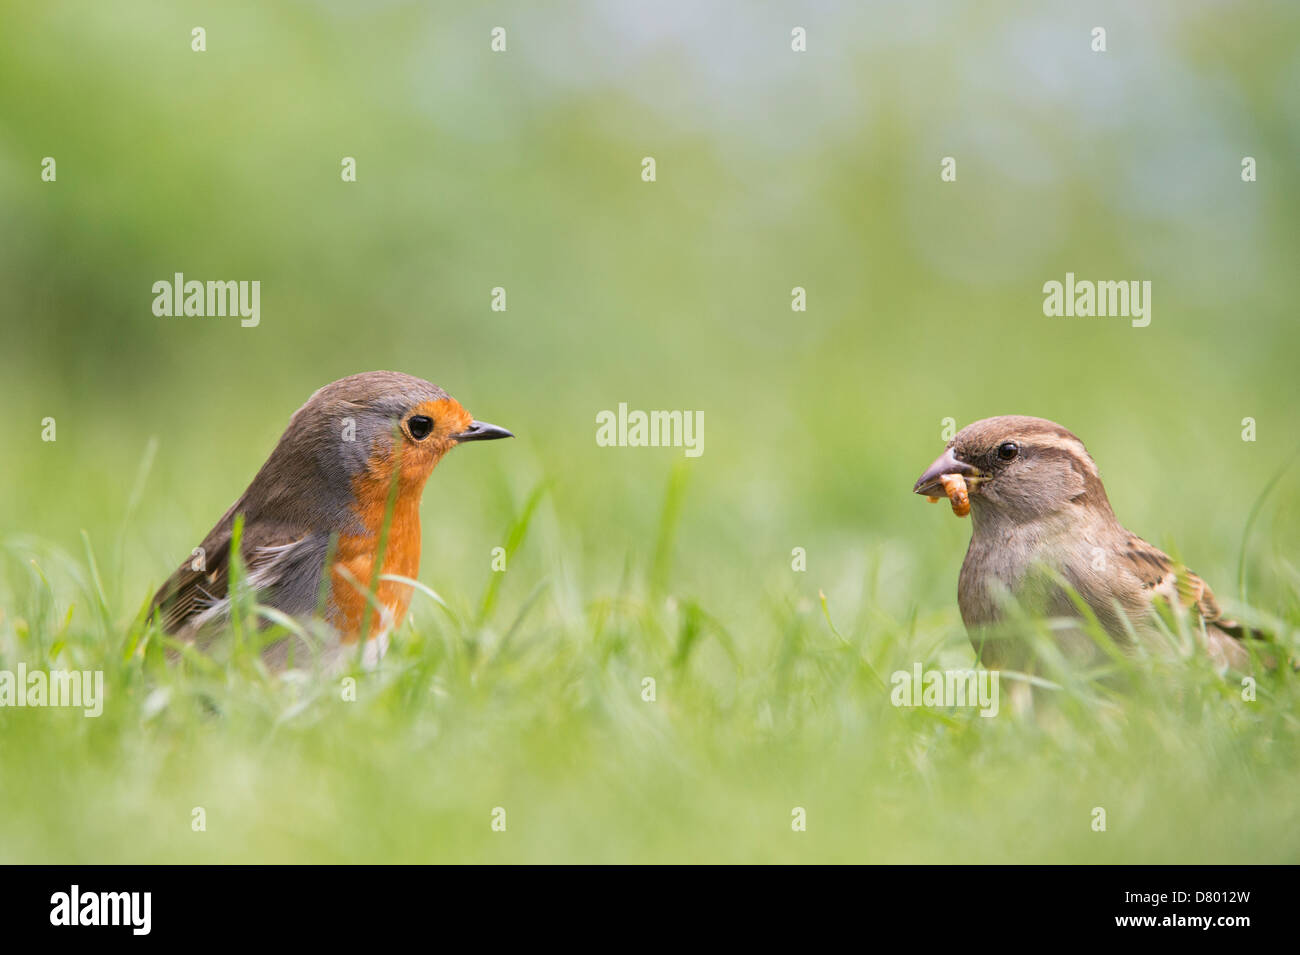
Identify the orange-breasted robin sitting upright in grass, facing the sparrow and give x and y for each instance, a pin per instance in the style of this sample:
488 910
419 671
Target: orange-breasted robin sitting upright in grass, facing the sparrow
354 459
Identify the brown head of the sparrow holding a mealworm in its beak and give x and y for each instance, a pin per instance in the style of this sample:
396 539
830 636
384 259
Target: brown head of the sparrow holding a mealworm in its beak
1019 468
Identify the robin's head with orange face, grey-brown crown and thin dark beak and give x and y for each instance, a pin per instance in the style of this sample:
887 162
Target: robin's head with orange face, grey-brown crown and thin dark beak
356 431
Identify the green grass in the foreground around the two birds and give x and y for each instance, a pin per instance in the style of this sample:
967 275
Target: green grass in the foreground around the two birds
535 704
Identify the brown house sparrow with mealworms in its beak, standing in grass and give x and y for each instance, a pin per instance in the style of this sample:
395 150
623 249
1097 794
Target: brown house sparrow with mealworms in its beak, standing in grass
1041 519
